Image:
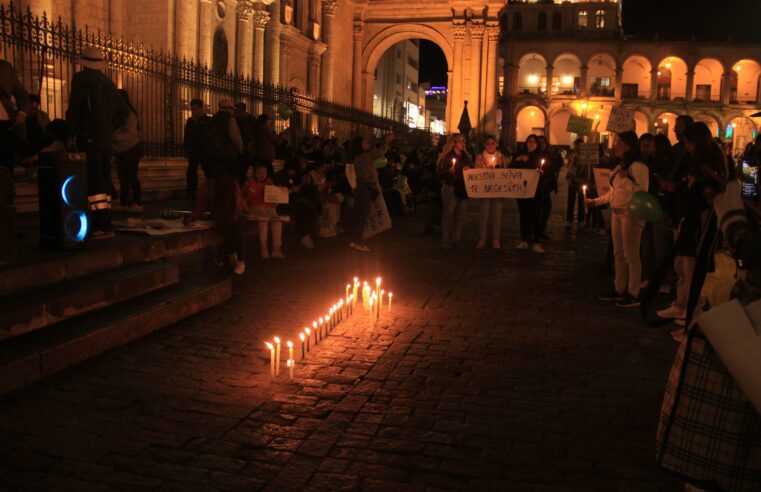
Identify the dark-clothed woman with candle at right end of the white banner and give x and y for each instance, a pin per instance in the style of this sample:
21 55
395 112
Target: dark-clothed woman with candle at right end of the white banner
530 208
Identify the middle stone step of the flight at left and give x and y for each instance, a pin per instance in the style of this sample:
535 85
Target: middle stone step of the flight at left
32 310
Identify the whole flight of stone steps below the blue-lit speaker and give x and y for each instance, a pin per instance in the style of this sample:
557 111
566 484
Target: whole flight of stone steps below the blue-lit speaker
59 309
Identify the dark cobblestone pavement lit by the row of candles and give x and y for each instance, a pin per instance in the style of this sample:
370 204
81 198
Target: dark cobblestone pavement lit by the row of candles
495 371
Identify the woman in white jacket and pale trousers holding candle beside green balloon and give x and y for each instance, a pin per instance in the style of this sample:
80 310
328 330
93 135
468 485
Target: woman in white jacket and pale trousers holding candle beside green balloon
629 176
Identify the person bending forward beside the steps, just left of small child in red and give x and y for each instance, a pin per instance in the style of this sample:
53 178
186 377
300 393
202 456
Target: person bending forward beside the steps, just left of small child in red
221 196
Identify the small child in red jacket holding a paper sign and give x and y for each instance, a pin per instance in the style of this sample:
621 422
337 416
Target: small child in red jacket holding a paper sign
265 213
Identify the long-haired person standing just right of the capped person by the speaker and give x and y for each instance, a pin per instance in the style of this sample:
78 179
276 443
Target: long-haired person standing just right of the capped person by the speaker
128 149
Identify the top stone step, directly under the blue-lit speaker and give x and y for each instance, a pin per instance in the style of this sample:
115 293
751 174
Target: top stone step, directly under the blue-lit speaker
35 269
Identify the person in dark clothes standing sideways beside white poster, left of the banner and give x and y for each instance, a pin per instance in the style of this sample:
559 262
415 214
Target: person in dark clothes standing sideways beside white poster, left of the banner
366 192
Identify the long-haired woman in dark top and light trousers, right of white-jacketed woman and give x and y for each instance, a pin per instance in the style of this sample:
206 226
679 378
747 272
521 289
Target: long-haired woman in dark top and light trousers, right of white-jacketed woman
706 162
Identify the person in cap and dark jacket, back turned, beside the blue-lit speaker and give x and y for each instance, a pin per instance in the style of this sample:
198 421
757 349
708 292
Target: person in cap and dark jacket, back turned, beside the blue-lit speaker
95 110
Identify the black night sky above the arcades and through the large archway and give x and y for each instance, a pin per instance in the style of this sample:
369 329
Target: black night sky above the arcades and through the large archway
707 20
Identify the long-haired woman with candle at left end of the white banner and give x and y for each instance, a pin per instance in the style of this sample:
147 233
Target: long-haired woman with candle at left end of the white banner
453 161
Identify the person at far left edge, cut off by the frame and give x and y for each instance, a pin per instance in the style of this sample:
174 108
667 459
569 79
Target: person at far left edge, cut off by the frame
12 116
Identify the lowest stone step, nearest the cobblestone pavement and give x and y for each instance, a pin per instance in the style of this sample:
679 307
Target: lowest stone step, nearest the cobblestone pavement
31 357
